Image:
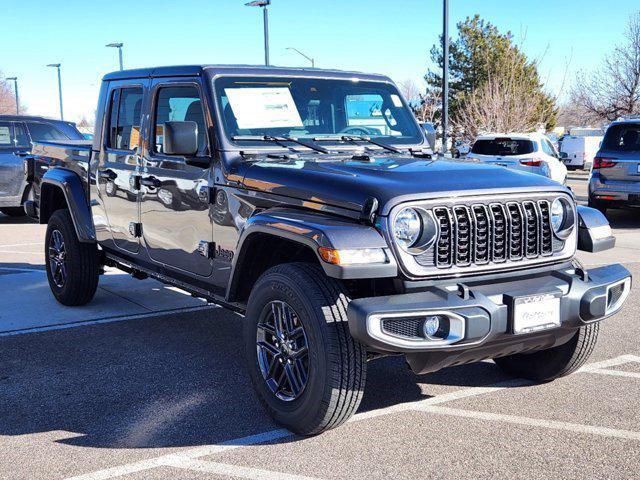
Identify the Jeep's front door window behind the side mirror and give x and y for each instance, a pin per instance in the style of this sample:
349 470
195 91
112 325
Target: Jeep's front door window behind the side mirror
179 104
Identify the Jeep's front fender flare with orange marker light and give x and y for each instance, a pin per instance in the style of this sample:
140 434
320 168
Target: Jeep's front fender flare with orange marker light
314 230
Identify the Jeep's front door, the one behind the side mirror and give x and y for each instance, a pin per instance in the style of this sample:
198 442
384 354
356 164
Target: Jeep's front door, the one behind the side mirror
174 210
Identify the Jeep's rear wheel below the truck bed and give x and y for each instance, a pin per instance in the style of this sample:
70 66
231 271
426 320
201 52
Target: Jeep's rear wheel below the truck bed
79 262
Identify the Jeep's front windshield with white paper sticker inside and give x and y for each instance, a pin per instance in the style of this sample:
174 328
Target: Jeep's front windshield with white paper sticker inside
313 109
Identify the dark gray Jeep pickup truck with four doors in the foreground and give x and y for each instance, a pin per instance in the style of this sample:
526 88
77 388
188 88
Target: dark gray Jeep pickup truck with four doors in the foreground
308 202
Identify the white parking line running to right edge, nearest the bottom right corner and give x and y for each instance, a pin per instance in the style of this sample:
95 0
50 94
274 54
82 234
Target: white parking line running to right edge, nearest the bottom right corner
534 422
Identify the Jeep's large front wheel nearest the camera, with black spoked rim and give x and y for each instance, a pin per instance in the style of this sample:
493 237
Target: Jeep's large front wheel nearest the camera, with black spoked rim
336 363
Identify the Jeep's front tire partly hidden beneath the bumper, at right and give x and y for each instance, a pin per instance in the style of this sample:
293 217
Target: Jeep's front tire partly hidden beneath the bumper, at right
556 362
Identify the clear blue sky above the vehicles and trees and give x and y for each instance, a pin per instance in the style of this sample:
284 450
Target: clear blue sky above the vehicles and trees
380 36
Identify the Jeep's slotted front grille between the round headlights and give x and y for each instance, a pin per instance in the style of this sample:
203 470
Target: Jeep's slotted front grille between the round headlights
491 233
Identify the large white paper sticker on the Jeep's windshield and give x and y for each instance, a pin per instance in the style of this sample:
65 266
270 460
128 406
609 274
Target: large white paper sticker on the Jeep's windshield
263 107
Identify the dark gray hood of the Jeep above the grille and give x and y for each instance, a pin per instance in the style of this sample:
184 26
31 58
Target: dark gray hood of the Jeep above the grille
347 183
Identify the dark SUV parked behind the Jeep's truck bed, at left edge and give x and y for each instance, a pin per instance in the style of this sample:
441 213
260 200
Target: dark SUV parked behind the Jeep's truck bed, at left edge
16 136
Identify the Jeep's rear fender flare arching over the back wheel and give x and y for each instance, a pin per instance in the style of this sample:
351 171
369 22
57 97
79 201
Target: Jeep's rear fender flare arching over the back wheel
70 184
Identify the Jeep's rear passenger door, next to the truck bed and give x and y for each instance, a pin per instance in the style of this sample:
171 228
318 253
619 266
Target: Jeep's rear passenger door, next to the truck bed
119 164
